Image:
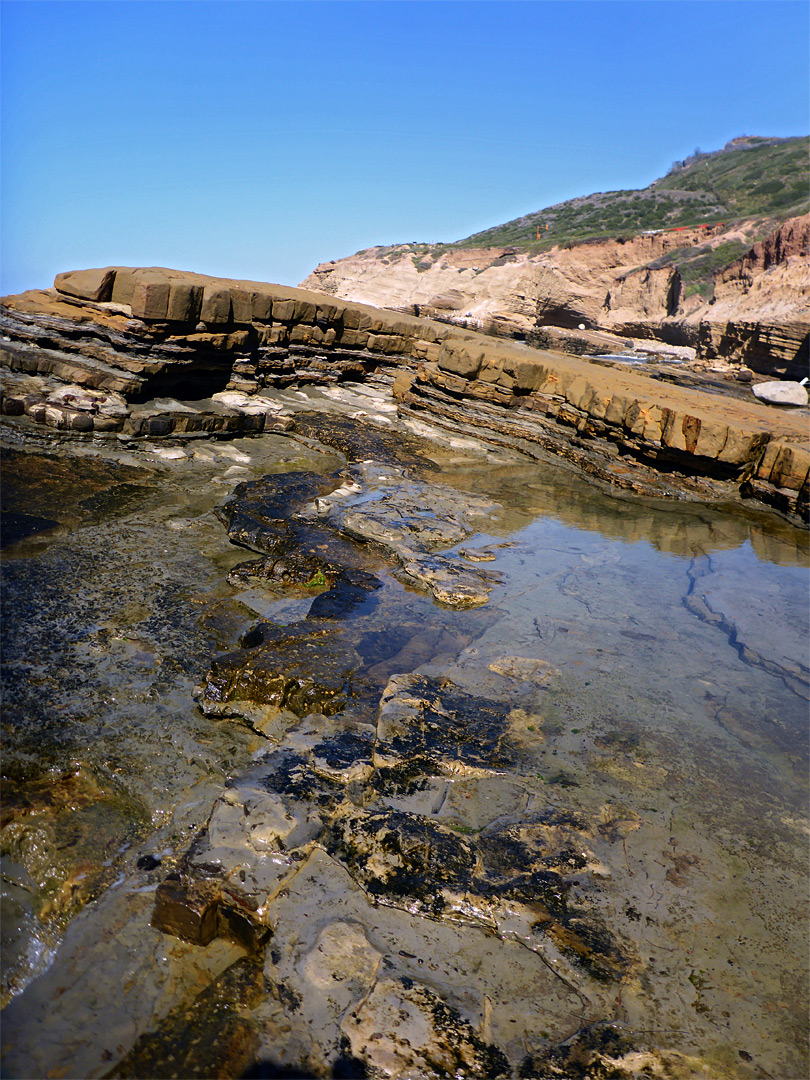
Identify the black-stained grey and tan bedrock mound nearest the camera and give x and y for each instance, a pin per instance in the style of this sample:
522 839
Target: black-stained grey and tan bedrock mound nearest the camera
407 831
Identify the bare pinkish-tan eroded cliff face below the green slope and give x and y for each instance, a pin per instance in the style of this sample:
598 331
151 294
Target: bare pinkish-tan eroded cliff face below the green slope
760 316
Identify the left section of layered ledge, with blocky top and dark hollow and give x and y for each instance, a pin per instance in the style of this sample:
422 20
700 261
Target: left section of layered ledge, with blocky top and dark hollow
165 333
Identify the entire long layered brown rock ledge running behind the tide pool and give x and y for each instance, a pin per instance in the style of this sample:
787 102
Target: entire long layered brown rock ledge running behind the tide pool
90 357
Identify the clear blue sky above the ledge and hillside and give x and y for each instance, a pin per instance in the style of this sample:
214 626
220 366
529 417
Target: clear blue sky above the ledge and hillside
256 140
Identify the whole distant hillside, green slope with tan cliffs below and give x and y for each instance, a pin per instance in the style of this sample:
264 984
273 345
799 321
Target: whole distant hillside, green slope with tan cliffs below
676 263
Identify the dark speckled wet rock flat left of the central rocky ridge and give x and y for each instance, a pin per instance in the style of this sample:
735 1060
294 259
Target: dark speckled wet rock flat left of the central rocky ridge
109 620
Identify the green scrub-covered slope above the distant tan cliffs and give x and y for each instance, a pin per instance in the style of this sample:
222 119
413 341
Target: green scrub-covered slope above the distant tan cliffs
749 179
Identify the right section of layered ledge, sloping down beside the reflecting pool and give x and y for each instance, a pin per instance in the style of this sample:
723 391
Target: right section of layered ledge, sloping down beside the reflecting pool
619 427
